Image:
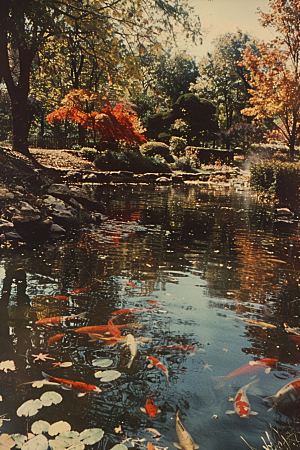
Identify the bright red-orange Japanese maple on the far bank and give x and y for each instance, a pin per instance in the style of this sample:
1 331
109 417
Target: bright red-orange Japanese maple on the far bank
120 123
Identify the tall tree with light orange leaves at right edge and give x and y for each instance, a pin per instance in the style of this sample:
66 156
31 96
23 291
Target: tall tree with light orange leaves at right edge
275 72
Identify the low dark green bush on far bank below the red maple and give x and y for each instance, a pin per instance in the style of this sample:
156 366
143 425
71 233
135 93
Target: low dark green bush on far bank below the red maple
131 161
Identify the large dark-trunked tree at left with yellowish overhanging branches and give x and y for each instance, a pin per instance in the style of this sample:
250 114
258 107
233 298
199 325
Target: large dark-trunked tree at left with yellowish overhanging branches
25 26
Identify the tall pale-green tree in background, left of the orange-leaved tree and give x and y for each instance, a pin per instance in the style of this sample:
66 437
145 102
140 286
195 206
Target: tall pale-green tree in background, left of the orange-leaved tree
222 80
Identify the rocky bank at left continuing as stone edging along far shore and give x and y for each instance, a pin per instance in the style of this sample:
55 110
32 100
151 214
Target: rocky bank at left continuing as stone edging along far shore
38 201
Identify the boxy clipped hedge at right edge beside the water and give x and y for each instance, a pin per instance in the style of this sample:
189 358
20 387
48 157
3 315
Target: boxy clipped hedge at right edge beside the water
278 179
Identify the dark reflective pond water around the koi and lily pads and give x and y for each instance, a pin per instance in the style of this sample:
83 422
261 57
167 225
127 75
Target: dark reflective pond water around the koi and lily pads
194 263
